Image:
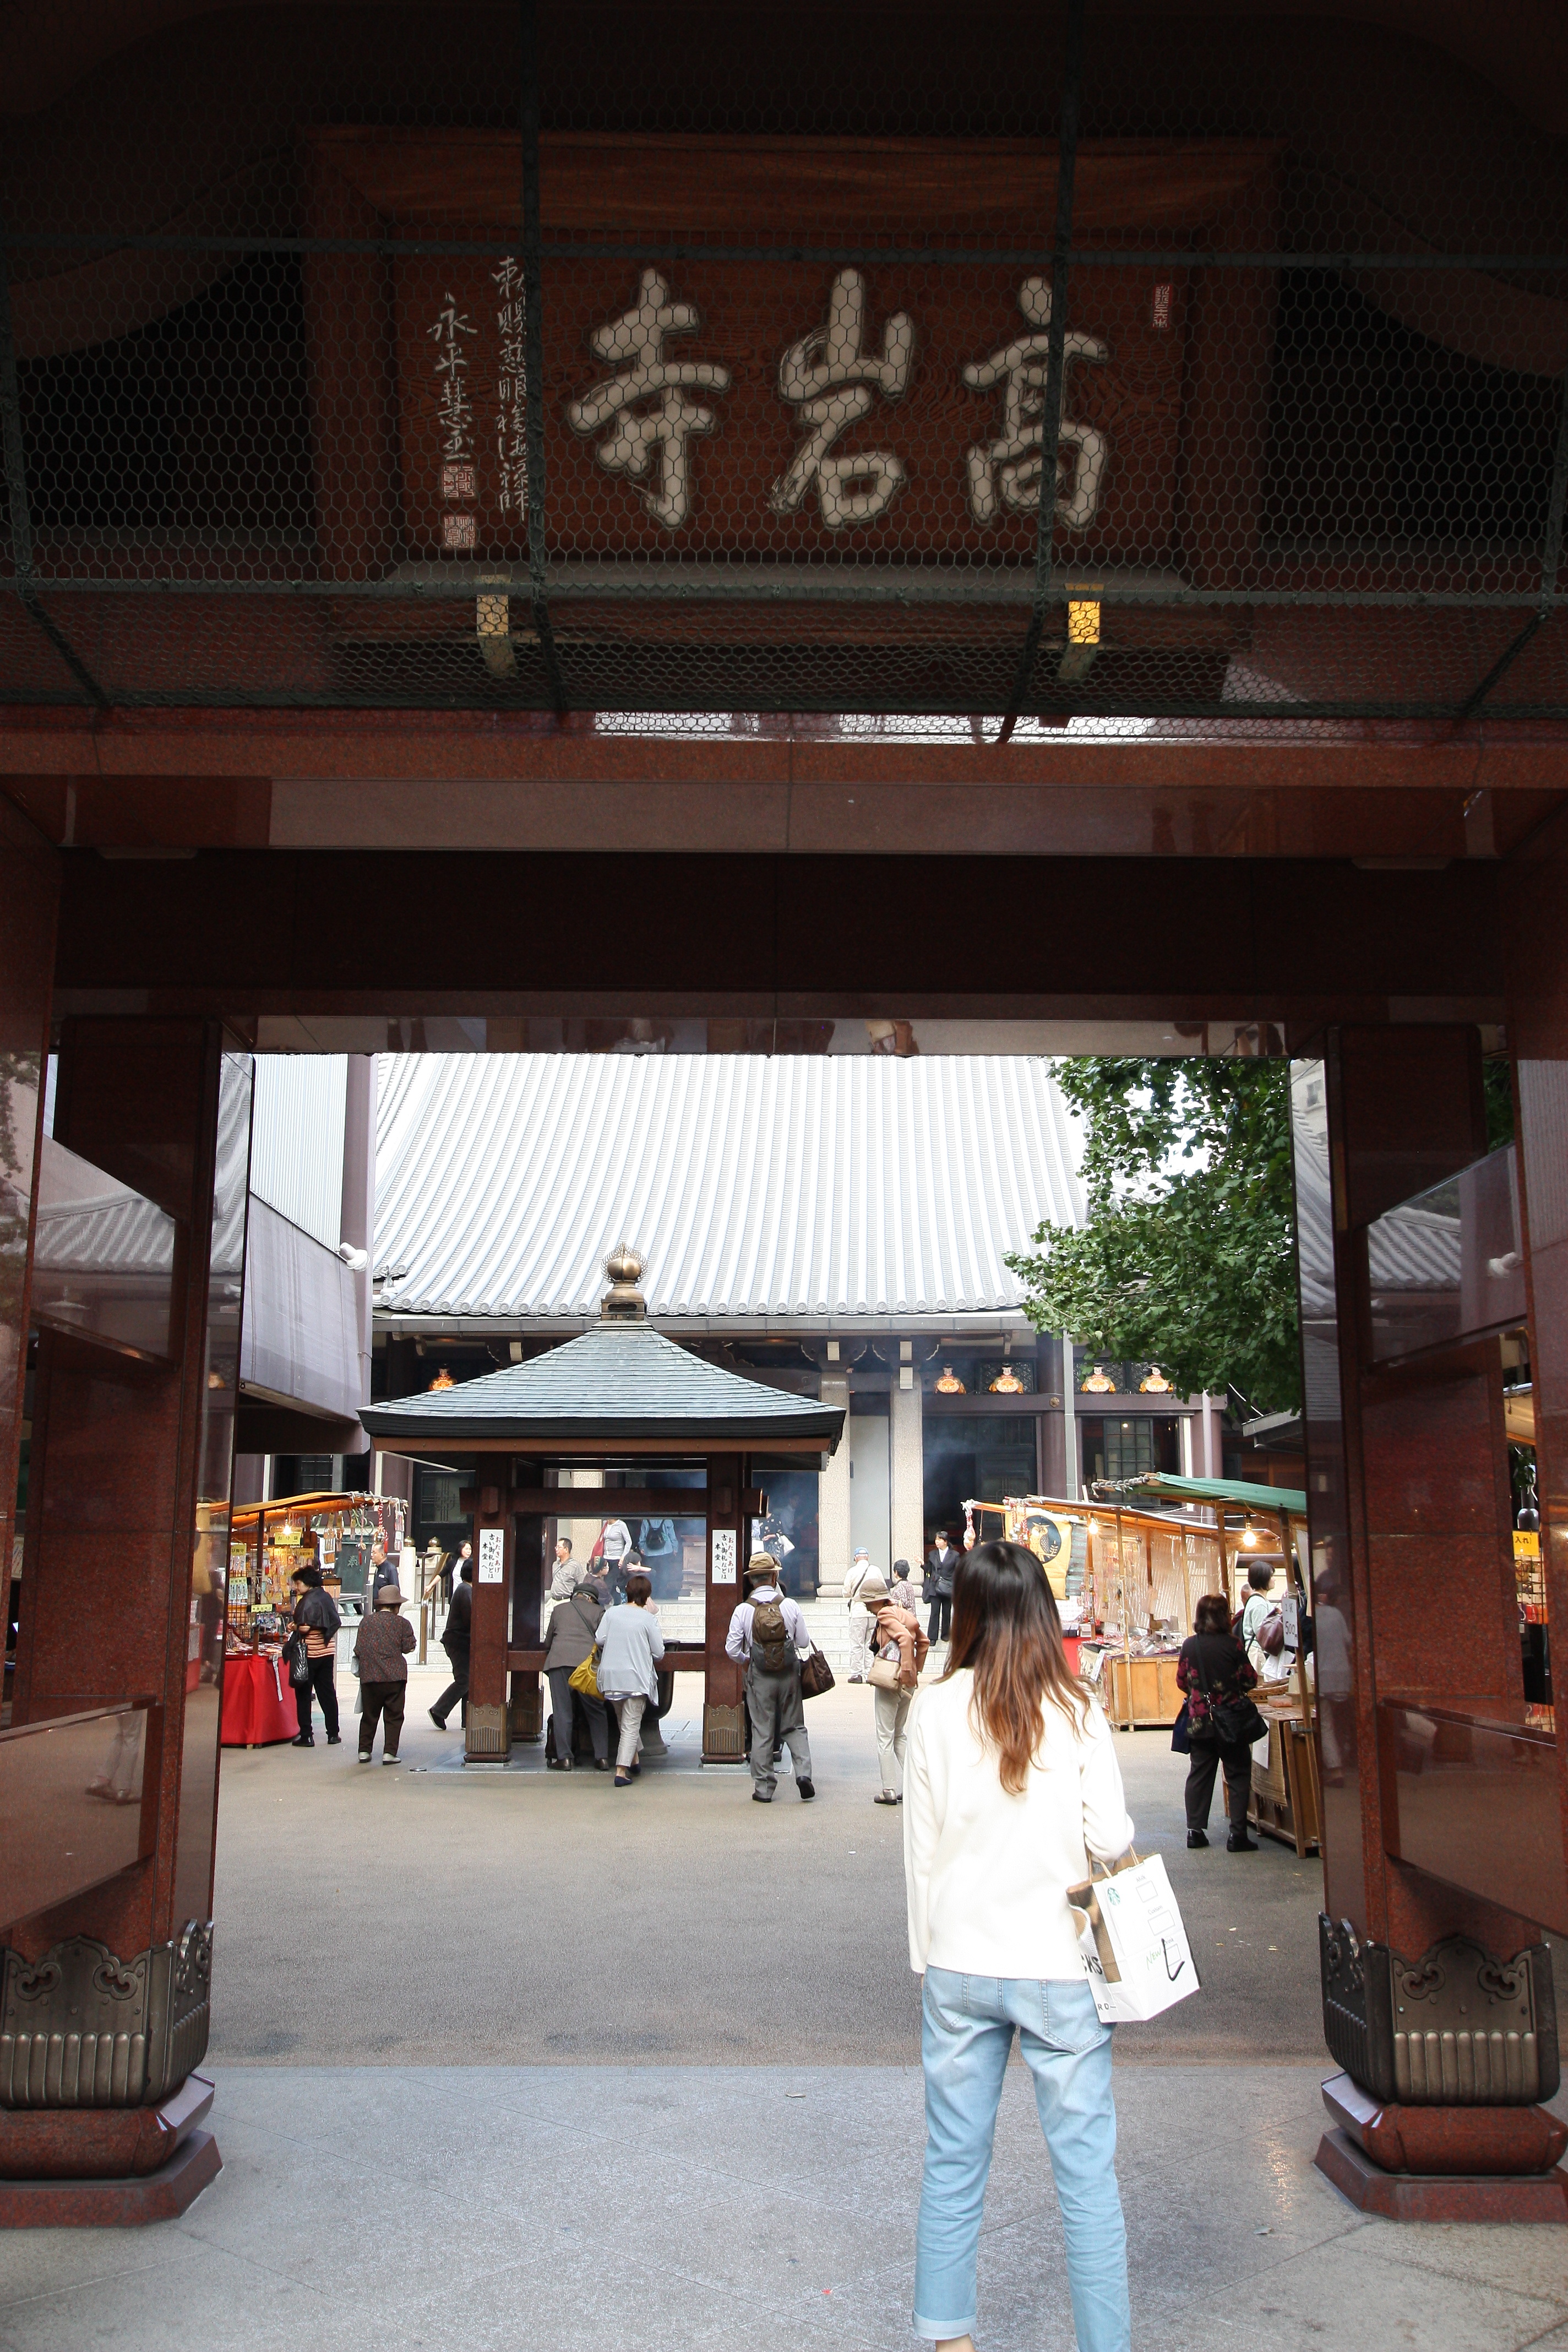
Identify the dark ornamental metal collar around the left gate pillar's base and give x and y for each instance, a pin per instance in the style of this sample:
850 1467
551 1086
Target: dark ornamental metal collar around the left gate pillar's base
86 2029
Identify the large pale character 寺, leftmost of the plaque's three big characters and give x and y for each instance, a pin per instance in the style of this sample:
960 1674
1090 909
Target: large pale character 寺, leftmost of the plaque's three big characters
648 401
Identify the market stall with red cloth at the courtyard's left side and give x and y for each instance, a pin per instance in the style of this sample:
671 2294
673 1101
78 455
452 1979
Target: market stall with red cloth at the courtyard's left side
269 1542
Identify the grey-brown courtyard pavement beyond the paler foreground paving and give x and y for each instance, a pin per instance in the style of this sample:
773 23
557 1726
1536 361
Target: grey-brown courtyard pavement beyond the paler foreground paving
434 1916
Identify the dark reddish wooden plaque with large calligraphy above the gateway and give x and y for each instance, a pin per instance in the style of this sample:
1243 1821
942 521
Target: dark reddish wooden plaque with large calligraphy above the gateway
793 432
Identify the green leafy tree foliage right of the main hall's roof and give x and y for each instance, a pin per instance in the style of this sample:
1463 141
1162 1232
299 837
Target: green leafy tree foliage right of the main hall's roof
1188 1257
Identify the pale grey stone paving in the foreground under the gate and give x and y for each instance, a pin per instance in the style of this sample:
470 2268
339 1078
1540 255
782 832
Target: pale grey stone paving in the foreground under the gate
746 2210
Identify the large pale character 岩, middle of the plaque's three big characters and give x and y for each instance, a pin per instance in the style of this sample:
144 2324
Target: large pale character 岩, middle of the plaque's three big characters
831 382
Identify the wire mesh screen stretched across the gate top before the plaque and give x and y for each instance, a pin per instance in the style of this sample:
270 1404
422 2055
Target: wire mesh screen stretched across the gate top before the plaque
1024 363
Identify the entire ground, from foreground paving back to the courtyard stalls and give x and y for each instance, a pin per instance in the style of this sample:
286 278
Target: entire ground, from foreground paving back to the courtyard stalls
511 2059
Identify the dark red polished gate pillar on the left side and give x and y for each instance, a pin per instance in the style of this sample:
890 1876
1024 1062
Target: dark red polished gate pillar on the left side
123 1598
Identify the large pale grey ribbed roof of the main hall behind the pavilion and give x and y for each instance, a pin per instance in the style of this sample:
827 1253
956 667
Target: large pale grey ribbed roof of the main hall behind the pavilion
786 1191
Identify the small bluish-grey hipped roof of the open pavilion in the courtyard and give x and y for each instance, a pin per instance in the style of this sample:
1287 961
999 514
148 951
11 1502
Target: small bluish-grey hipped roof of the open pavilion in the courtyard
615 1382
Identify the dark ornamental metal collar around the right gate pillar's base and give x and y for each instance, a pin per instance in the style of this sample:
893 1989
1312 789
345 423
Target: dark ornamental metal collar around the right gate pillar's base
1456 2029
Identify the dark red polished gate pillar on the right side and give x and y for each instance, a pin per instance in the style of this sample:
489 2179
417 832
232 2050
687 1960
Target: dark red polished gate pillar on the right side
1416 1652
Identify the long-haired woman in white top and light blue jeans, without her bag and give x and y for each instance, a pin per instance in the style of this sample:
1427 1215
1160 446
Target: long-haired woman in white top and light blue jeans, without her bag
1012 1786
